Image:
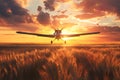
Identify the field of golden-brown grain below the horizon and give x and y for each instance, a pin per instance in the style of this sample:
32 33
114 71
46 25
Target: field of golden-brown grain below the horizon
93 62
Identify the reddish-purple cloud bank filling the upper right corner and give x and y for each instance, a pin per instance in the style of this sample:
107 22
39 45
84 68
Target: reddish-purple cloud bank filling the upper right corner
99 7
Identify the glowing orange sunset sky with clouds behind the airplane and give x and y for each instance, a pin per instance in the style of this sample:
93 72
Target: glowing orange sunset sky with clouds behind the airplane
74 16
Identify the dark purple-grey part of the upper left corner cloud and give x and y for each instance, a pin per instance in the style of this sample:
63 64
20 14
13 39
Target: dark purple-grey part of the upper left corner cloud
12 12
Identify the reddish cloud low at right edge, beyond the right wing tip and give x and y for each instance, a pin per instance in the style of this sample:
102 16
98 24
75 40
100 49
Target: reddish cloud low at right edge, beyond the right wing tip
108 33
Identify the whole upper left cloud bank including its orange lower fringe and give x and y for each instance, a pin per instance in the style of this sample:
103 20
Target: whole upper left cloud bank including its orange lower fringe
14 16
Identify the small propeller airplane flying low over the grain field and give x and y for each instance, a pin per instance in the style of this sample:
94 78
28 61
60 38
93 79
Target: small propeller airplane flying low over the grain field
57 35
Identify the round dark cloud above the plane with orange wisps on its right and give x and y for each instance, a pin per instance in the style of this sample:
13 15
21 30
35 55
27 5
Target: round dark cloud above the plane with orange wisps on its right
45 18
